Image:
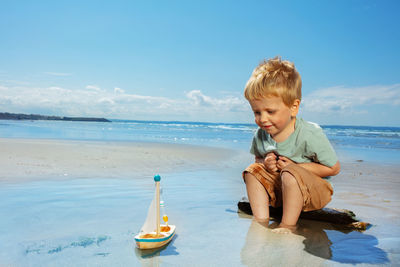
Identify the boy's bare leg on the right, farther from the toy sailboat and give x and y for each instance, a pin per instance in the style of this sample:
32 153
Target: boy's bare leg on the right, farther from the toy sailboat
292 199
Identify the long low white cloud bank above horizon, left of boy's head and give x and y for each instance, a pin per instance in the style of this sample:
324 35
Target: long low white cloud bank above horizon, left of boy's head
116 103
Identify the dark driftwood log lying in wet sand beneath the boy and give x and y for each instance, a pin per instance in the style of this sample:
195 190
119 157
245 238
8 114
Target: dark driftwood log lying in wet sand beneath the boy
343 217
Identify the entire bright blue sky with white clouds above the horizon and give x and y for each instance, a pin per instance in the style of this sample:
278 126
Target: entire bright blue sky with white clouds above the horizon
189 60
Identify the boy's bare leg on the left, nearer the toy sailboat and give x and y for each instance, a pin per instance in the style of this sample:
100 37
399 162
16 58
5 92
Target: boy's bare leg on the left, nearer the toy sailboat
258 197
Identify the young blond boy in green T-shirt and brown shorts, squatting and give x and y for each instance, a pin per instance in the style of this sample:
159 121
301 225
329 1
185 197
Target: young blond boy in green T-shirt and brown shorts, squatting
291 155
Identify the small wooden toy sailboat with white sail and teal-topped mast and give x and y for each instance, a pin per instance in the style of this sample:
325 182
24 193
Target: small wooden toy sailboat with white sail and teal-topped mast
153 234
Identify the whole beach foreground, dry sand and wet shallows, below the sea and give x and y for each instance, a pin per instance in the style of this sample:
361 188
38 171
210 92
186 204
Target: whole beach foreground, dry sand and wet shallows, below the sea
63 200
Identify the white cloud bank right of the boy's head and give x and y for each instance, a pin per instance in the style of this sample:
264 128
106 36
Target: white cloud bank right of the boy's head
344 99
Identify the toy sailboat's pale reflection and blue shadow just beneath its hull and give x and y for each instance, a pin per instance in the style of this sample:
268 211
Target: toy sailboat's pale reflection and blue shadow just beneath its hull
151 257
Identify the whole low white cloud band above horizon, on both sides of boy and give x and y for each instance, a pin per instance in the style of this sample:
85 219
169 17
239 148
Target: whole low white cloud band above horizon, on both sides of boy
335 105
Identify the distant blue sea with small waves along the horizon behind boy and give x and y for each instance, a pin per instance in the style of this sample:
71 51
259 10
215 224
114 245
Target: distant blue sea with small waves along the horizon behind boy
369 143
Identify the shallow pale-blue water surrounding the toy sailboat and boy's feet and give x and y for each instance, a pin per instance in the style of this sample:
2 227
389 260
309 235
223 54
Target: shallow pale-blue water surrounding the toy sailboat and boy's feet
91 222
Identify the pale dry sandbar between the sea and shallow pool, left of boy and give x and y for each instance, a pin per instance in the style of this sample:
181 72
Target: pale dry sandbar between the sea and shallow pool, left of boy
37 159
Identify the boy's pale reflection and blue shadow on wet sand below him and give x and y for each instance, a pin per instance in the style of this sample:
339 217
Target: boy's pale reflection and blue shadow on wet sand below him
321 239
